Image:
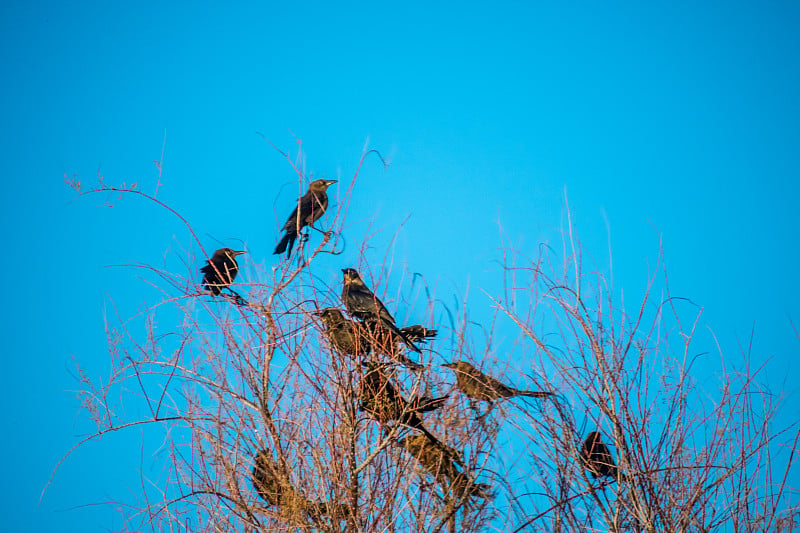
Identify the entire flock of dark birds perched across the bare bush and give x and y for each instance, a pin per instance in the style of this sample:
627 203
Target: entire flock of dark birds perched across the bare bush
374 331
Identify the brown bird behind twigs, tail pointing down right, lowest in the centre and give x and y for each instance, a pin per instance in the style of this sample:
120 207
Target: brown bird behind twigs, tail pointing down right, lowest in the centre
440 460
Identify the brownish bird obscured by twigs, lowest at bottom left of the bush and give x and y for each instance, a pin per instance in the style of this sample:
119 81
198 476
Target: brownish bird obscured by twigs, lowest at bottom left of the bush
274 487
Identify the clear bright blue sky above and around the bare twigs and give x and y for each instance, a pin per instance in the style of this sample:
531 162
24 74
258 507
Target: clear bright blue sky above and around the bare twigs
676 119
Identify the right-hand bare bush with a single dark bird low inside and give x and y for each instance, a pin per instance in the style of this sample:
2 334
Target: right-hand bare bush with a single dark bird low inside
689 459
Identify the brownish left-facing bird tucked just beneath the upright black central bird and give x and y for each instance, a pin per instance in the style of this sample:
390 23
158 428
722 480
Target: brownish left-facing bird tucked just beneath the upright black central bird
358 339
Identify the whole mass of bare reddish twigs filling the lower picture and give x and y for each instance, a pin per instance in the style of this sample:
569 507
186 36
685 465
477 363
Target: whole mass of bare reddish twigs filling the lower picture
229 383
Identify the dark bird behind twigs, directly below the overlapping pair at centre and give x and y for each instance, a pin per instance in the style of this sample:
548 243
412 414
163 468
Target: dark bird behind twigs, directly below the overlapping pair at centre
381 399
